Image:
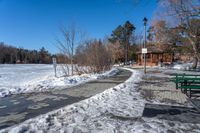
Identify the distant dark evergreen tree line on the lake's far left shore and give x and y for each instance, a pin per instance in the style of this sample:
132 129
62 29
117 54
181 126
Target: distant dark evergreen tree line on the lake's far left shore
12 55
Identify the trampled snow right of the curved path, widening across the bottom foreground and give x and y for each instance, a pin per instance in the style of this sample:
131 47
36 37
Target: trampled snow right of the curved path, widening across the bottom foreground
118 109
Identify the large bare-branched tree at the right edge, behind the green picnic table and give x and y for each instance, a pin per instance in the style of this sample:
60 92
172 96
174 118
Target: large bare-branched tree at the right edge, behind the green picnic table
186 15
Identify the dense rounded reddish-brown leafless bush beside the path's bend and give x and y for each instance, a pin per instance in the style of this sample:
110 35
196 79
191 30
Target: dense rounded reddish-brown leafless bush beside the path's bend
94 55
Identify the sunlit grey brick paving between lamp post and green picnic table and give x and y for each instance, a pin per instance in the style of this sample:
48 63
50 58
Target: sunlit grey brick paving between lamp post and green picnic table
157 86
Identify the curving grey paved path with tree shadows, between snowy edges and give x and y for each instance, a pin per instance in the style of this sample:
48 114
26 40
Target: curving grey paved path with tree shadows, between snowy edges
18 108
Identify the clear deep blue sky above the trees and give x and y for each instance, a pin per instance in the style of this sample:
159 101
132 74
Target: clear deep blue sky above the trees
32 24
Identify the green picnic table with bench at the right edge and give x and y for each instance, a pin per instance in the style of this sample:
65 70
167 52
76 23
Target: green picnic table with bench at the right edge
187 83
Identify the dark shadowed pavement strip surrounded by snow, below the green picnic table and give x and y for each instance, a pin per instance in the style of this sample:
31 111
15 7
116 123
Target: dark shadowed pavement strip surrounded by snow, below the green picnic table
172 113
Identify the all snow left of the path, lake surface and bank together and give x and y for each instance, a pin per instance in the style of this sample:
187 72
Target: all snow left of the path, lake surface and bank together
15 79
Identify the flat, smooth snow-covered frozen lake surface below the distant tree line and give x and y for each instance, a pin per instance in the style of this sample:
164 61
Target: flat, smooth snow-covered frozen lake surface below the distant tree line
17 75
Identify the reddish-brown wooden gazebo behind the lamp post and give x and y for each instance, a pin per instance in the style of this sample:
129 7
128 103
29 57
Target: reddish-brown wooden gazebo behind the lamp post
154 56
